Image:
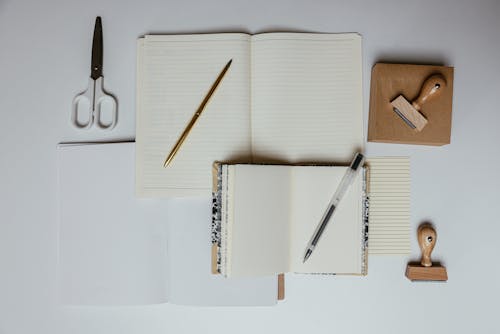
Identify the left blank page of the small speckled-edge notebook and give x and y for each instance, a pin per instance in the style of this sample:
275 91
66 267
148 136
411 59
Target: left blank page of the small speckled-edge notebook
259 220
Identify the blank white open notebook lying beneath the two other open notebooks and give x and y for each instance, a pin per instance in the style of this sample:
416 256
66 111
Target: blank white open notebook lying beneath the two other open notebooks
115 249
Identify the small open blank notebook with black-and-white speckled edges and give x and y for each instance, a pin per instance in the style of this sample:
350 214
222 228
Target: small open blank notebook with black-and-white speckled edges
266 214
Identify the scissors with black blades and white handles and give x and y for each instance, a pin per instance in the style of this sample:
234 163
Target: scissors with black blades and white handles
94 96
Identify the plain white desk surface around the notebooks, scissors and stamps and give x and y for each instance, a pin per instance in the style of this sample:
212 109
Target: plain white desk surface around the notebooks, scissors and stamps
44 63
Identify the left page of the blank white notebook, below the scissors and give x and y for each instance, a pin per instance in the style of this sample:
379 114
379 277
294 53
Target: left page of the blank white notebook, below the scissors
112 247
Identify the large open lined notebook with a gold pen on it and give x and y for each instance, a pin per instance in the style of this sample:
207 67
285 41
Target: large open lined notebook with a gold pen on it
287 98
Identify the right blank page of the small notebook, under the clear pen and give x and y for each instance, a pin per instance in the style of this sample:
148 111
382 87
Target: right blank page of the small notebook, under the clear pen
340 247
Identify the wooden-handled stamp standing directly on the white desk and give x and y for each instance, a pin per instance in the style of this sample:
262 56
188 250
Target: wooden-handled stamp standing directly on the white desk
425 270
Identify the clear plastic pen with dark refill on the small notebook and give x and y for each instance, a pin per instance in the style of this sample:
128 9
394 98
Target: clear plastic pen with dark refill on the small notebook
346 181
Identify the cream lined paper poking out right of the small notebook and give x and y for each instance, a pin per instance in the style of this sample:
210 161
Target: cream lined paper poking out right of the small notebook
389 216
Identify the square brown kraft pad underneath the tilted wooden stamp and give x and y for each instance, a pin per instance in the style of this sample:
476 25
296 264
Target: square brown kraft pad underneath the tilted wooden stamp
391 80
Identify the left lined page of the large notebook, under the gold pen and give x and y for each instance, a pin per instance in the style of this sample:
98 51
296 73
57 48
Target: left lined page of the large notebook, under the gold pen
175 73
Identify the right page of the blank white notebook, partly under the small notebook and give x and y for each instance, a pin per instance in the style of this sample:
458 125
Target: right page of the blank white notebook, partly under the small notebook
190 279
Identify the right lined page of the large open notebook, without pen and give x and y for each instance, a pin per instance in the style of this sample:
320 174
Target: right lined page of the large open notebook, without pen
306 97
